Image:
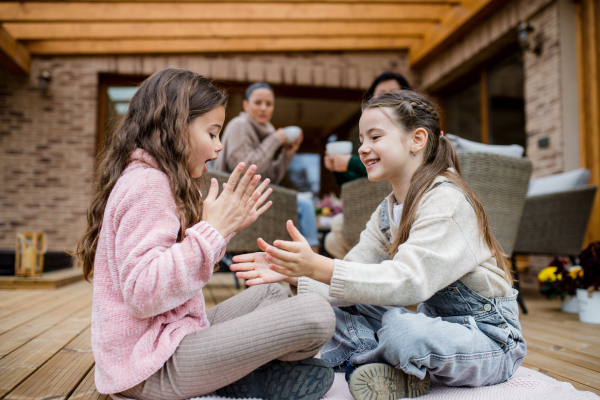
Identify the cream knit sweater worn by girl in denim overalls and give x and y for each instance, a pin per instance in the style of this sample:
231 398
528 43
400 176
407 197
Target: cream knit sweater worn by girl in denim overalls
443 246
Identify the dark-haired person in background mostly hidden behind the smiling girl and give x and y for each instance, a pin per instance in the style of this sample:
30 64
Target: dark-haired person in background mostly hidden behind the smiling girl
346 167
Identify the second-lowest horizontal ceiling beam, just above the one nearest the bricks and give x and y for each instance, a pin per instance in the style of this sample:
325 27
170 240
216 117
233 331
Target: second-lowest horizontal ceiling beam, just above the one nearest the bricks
167 30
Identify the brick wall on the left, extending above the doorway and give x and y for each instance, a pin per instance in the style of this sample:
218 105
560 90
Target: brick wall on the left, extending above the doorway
47 142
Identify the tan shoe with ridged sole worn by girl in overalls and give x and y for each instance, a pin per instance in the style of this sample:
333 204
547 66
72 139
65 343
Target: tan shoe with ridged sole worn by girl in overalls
384 382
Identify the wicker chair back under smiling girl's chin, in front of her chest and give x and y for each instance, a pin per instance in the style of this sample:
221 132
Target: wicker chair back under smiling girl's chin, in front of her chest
360 198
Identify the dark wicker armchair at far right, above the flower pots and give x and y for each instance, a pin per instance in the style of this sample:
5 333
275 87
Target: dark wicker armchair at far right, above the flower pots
555 223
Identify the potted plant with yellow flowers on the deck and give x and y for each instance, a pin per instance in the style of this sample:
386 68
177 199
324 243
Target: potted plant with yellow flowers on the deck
556 280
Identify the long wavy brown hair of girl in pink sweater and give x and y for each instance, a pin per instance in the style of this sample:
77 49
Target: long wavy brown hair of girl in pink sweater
157 121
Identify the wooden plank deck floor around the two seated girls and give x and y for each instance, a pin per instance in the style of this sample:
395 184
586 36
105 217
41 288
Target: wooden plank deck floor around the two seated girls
45 350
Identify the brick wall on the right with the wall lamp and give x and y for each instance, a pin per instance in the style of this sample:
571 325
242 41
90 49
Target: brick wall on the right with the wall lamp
543 108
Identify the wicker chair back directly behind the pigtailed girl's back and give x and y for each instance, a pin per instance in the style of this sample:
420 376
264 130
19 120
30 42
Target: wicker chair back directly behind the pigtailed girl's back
500 183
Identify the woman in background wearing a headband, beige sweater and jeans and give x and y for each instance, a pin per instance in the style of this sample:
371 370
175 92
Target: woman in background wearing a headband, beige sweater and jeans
251 138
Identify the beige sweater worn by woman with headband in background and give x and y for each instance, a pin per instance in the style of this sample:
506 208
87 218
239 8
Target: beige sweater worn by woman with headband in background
246 140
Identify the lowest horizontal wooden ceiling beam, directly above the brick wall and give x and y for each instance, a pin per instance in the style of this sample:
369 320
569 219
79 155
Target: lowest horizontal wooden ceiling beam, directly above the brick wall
220 45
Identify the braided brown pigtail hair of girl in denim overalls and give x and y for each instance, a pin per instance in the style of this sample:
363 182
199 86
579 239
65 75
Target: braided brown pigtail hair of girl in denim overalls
411 111
